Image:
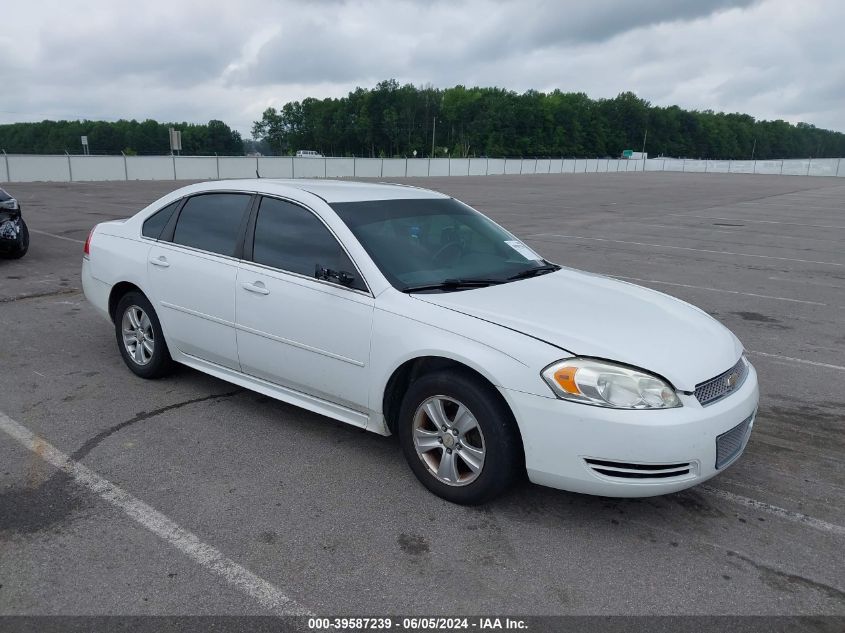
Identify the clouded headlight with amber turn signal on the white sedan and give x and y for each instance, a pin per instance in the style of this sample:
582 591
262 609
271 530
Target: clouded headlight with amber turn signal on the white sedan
605 384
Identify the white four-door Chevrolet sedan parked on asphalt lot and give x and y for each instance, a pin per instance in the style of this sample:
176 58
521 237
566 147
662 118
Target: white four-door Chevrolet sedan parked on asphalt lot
404 311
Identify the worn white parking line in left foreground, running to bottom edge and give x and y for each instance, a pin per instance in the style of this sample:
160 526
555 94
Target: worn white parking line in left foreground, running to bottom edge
207 556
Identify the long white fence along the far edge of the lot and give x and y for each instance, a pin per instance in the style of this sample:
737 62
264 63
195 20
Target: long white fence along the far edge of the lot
24 168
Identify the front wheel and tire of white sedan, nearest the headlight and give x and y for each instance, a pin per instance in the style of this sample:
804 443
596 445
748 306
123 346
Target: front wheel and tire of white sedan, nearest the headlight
490 427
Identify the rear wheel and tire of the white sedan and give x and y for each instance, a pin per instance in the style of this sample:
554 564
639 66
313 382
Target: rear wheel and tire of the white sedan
147 356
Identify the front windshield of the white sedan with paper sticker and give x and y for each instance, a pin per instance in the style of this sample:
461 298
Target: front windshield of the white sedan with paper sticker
431 242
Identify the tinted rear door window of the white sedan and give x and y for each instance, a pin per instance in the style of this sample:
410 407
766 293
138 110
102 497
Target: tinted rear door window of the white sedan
212 222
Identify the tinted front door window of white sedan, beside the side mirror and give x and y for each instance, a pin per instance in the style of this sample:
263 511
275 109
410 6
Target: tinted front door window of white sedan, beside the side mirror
291 238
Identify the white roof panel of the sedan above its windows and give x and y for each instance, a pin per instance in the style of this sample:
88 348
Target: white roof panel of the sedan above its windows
329 190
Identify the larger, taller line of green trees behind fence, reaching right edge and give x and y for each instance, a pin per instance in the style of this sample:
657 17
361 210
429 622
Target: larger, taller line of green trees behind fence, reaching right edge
404 120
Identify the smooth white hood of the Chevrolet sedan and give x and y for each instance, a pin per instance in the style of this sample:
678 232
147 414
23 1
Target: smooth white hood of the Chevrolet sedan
591 315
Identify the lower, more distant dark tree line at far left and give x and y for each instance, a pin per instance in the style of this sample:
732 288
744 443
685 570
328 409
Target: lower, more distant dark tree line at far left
130 137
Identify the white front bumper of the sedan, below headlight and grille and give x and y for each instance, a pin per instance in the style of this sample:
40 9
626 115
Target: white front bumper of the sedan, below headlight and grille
619 453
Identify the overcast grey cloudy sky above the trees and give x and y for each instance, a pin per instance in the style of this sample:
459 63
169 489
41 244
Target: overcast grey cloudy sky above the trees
197 60
